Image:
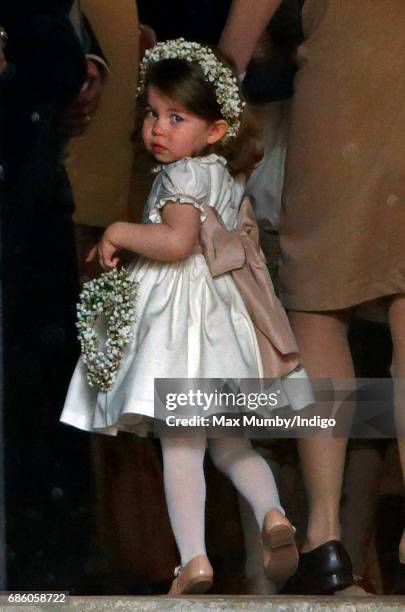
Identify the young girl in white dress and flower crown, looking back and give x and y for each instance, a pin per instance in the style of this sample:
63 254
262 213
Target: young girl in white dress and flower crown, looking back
188 324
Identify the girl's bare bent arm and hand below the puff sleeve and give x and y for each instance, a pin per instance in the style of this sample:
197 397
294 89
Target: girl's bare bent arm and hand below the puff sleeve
171 240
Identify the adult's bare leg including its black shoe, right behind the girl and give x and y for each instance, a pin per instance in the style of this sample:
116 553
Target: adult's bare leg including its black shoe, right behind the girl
324 565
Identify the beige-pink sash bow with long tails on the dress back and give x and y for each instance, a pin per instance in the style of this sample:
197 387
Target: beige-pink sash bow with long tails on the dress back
239 252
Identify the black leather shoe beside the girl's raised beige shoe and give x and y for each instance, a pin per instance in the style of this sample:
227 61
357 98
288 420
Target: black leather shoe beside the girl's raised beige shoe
321 571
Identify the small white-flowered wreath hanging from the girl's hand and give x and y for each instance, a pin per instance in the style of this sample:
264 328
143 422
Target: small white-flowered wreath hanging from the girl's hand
112 295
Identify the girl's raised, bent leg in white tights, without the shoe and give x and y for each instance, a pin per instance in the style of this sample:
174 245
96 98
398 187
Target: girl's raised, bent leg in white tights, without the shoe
248 471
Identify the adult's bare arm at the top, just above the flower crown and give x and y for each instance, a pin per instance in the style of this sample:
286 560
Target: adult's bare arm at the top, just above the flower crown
246 22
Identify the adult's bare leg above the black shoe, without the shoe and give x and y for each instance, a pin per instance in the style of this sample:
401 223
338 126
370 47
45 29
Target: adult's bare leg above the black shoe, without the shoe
322 339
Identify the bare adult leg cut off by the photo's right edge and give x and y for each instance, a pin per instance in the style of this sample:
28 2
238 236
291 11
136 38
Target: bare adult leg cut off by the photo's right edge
397 324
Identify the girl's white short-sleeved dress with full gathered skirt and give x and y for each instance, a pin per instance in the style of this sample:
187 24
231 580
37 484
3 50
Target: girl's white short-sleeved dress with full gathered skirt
188 324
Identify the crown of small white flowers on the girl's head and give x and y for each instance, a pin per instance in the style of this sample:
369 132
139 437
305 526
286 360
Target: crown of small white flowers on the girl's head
215 72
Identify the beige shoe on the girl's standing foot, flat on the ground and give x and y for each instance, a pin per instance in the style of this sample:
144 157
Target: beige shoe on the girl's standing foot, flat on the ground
195 577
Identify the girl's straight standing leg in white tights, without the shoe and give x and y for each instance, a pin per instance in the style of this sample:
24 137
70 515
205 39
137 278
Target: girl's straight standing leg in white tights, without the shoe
184 482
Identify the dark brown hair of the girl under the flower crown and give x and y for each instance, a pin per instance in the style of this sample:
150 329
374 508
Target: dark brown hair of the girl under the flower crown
184 82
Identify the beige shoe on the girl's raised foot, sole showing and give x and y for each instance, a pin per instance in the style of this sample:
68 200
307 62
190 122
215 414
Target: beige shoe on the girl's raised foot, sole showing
280 554
